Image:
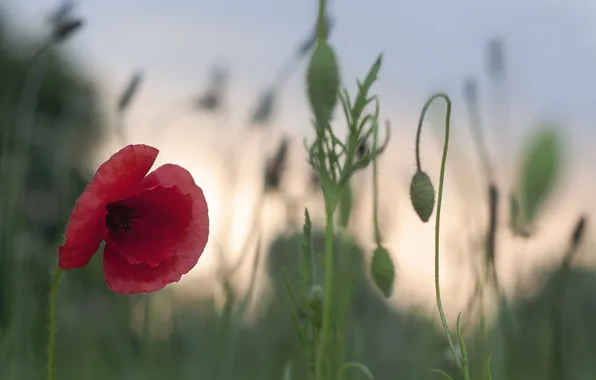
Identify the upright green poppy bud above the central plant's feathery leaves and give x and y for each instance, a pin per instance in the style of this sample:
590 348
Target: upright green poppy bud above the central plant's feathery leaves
322 81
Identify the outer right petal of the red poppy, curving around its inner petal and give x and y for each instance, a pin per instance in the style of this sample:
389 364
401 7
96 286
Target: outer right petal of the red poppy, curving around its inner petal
123 277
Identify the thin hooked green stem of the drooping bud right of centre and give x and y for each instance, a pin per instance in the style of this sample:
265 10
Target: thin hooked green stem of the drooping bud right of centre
462 367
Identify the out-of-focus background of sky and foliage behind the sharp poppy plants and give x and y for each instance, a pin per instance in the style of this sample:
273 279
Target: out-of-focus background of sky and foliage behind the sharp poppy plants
219 88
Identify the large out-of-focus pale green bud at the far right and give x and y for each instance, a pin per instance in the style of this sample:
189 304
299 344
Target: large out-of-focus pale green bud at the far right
539 172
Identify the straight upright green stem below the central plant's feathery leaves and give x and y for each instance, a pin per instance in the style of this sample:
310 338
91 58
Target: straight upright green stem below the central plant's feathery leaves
326 325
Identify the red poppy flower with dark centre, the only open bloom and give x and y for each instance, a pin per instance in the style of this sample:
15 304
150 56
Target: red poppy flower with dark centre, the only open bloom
155 226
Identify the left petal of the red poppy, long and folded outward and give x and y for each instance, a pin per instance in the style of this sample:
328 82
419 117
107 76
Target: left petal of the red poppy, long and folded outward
118 175
